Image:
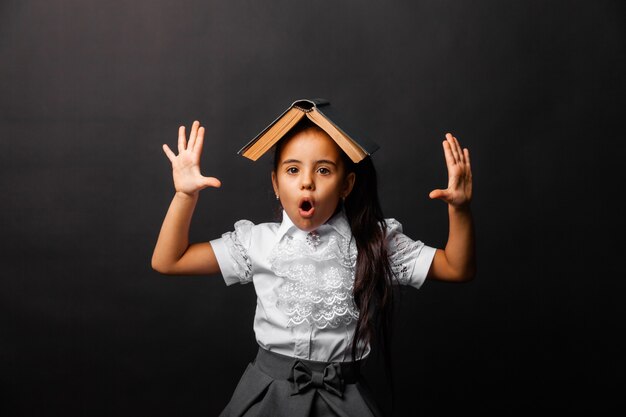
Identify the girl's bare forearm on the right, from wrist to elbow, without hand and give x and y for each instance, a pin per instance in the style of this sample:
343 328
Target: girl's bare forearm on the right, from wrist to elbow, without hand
460 248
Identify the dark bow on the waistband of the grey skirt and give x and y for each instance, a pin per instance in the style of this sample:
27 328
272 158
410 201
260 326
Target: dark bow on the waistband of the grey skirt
303 378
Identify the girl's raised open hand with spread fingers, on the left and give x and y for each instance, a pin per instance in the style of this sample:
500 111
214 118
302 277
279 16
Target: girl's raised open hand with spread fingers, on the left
186 166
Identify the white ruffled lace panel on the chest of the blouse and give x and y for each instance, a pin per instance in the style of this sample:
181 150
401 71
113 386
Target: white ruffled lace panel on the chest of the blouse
318 280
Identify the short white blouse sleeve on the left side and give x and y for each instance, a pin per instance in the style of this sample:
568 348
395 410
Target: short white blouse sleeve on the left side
231 251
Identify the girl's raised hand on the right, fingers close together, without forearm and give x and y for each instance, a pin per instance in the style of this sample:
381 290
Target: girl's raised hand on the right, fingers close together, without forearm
459 191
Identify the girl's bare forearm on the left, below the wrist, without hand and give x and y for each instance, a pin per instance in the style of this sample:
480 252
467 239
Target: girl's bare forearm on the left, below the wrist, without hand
173 238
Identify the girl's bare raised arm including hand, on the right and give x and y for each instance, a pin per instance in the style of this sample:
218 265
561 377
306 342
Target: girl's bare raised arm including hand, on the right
457 262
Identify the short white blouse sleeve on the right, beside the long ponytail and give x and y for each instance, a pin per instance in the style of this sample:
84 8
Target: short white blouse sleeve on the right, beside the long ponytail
409 260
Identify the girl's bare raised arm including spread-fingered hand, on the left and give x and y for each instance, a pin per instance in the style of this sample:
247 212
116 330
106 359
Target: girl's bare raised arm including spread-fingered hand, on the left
173 255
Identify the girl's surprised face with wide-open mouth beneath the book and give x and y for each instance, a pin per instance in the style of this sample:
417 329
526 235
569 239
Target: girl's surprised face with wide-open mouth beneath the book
311 178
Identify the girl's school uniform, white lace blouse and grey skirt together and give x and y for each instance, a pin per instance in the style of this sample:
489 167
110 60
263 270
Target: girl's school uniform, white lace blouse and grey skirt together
306 316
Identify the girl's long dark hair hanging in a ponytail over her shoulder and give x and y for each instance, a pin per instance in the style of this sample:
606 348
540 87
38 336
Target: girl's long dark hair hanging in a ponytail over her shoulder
373 286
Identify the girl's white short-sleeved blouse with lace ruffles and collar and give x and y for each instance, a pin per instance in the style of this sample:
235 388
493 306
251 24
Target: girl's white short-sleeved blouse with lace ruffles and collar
303 281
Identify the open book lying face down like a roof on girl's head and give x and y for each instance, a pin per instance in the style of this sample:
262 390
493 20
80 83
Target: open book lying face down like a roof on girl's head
320 112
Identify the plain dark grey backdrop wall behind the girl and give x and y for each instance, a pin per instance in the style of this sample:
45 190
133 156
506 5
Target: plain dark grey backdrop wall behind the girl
90 90
